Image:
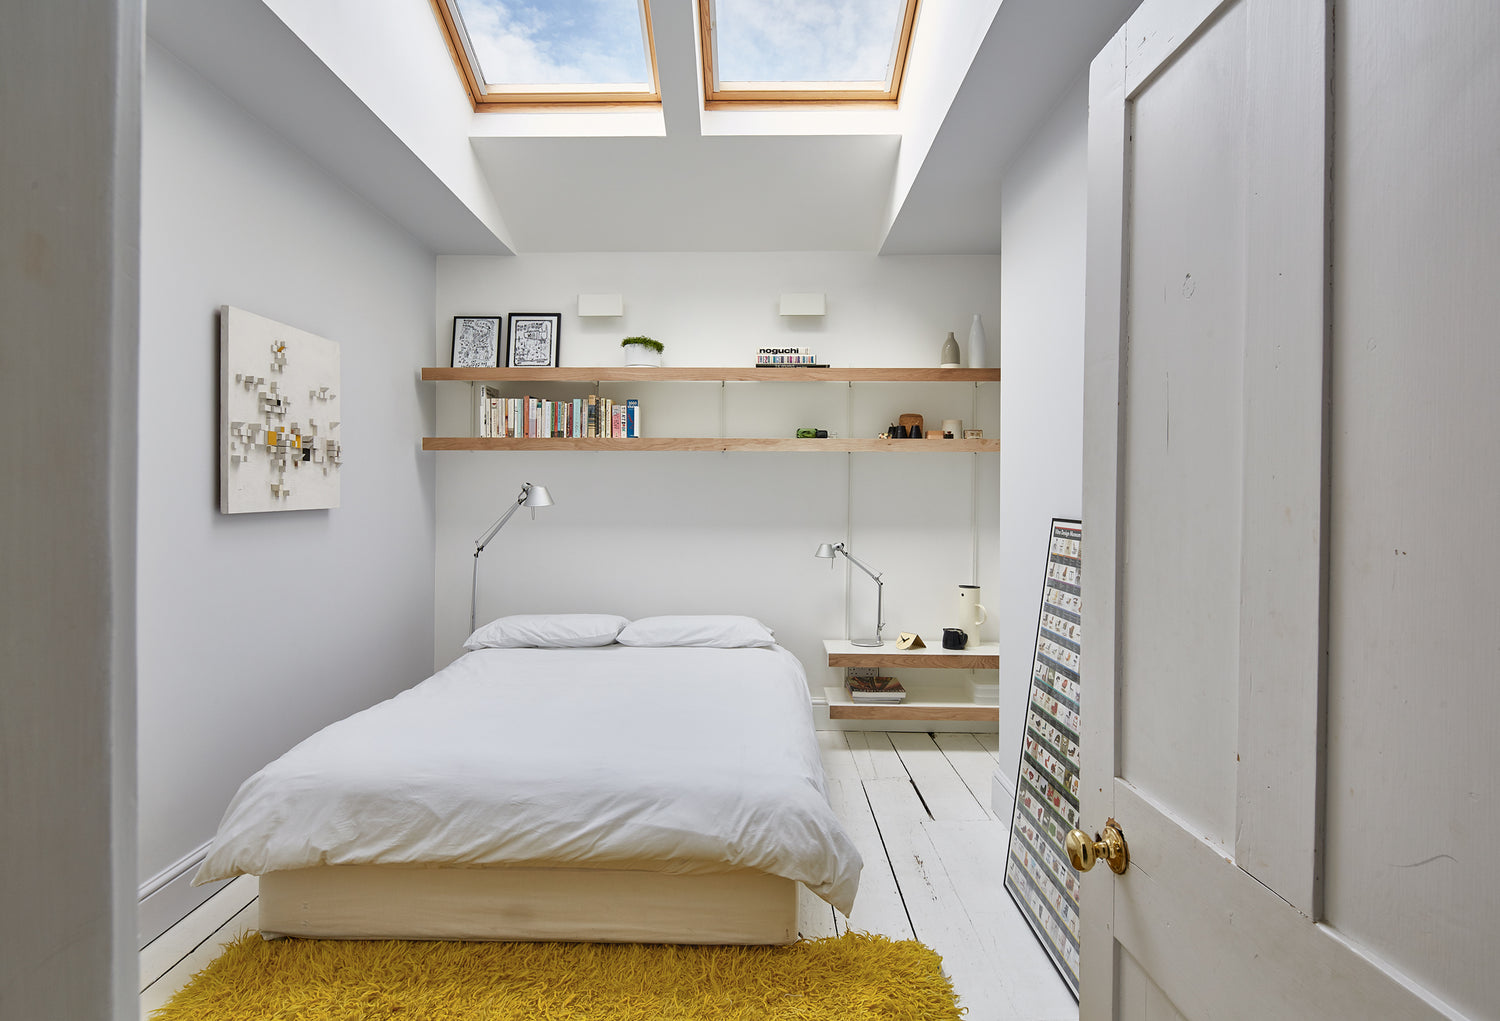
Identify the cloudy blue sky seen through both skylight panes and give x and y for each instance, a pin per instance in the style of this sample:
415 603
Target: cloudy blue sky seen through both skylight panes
601 41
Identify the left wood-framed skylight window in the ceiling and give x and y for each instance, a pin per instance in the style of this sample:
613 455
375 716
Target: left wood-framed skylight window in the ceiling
529 52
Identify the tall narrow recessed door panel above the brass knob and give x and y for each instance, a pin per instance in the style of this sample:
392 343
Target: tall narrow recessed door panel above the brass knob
1183 451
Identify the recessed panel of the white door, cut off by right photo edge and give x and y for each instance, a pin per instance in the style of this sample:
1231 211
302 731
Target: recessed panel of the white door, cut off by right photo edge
1414 702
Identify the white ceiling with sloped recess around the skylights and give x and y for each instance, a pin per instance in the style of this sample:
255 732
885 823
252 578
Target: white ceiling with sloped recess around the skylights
677 179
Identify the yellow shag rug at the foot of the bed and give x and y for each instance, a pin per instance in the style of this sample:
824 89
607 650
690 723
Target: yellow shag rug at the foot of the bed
851 978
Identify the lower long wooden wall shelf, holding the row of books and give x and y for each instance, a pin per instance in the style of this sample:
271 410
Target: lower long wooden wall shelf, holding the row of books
649 445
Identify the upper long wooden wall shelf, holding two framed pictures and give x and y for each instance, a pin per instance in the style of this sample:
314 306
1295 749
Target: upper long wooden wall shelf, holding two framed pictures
620 374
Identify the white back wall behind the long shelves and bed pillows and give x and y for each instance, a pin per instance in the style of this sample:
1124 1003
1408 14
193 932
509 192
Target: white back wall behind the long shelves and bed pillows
661 533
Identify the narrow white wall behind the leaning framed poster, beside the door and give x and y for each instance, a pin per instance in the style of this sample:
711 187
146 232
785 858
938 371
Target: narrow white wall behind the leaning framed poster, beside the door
1042 368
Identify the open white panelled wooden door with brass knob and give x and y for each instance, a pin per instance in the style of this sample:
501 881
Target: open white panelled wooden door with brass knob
1304 555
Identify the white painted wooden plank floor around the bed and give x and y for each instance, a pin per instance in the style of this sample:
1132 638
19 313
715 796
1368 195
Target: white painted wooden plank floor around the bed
919 809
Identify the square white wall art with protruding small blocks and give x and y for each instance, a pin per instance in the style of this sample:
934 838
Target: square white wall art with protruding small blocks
280 443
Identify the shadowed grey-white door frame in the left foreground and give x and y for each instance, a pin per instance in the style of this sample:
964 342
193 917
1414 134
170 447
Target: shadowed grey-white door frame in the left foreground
70 175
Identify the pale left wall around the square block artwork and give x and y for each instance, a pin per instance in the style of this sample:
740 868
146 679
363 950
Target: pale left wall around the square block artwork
256 630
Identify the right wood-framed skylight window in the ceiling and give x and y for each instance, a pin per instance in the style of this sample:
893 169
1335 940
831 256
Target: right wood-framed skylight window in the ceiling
805 50
